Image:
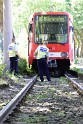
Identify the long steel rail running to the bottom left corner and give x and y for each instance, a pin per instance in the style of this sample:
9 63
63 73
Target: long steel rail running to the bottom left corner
4 113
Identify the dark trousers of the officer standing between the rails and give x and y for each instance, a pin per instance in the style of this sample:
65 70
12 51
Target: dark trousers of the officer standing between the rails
43 69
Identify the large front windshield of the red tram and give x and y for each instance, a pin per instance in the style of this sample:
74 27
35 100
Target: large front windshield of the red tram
53 28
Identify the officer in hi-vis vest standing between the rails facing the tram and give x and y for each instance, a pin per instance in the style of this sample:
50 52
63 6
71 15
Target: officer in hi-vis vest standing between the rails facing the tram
42 56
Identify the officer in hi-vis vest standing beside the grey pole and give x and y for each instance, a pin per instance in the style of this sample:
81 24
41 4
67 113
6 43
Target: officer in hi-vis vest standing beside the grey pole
13 55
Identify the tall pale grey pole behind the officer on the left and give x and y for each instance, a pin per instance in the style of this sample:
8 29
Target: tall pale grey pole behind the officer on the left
7 29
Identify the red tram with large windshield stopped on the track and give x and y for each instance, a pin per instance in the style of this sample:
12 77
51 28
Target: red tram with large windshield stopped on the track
57 28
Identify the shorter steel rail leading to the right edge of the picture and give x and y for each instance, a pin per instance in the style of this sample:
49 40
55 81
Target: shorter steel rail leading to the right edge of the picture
76 85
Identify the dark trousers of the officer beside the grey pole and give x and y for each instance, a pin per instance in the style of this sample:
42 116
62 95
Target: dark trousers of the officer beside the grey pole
14 65
